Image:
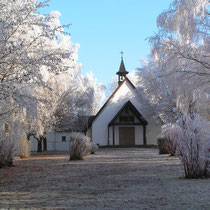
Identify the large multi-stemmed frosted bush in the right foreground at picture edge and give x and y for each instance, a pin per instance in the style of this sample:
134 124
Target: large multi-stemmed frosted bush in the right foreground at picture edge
192 139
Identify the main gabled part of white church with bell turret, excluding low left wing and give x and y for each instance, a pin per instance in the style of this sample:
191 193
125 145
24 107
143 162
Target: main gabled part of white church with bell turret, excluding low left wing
120 121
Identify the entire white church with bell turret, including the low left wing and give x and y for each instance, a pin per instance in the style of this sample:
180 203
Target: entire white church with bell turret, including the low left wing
121 121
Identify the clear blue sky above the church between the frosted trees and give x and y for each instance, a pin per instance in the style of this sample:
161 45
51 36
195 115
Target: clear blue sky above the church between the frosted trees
105 27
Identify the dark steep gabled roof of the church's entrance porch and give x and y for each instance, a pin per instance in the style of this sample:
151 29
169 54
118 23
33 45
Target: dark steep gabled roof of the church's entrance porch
133 110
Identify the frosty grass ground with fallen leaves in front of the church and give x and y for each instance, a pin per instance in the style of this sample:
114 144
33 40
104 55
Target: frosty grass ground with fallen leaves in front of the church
133 178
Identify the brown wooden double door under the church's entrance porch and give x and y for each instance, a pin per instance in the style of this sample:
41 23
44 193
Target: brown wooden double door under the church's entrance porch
127 136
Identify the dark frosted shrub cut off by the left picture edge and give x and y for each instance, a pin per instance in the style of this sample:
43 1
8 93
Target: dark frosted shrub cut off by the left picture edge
7 151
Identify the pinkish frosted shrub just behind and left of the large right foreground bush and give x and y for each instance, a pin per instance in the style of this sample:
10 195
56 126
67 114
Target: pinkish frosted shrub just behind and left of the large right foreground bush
171 133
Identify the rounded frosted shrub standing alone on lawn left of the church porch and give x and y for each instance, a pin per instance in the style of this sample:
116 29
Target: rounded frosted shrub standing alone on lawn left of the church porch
79 146
